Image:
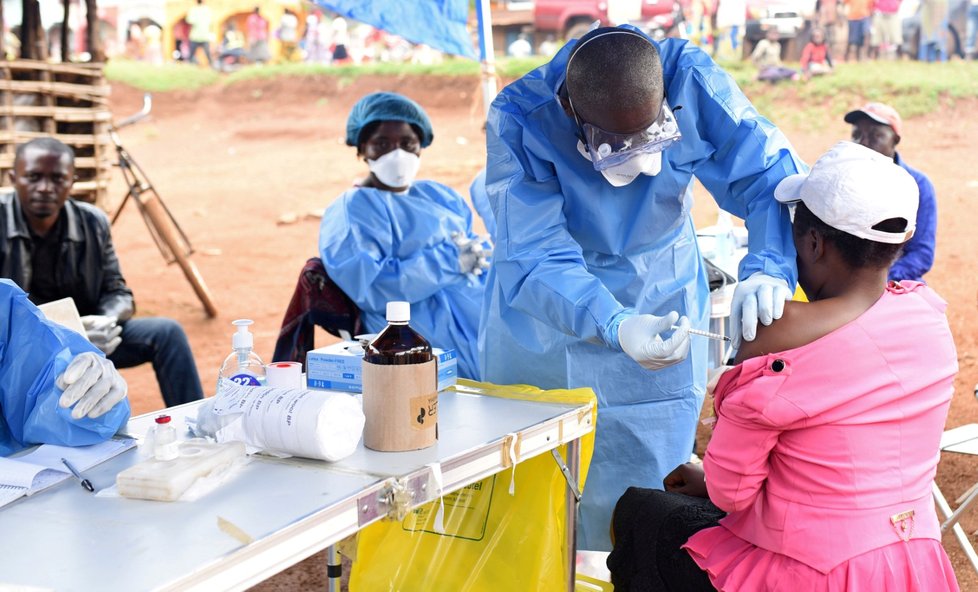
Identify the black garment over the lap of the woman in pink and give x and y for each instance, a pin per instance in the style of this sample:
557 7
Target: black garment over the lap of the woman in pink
649 528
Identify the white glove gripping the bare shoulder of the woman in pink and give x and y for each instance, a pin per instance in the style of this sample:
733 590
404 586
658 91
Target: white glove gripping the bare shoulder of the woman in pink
758 298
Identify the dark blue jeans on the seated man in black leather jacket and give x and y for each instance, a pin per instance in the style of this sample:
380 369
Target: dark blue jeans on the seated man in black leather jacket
162 342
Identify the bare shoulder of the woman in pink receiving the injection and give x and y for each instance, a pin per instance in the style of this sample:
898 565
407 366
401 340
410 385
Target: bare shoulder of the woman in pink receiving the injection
801 324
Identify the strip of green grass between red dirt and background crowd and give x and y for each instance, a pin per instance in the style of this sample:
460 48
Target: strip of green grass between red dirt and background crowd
913 88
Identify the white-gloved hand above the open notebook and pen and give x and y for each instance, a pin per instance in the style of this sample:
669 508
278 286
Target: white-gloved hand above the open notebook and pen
92 385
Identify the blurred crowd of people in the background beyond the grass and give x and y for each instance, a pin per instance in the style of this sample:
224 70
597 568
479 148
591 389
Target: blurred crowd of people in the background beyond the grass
838 30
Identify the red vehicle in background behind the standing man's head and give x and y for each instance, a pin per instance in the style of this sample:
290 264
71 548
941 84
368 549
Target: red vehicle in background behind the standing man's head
569 19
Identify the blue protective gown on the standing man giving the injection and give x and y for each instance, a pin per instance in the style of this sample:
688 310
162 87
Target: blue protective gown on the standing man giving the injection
574 254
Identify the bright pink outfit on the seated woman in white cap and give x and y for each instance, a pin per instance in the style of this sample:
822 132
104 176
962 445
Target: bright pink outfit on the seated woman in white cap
823 456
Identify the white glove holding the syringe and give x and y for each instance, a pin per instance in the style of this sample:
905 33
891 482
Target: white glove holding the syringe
640 337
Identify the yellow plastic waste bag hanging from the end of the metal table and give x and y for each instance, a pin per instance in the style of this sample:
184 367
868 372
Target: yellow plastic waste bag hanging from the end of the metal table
492 541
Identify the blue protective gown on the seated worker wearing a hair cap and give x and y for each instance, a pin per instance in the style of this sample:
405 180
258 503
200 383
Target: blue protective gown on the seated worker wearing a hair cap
380 246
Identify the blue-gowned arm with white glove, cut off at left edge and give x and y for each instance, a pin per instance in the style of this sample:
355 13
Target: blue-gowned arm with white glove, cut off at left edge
55 387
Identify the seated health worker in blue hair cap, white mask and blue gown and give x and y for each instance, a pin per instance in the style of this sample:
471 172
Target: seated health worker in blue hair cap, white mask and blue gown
395 238
